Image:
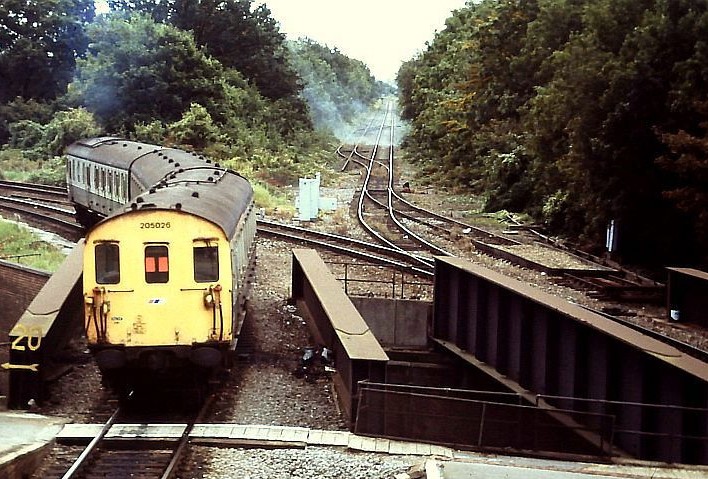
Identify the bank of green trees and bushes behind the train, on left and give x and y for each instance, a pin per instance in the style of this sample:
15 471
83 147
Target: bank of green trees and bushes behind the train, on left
217 76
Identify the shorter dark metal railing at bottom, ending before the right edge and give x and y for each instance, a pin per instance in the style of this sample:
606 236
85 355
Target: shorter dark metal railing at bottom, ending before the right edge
479 420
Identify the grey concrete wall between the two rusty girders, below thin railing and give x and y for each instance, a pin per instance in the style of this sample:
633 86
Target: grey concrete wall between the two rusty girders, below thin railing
399 323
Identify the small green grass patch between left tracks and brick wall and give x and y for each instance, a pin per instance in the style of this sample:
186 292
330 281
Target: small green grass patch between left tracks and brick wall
20 245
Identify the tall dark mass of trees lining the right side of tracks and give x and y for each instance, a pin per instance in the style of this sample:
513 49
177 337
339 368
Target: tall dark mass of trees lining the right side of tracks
576 111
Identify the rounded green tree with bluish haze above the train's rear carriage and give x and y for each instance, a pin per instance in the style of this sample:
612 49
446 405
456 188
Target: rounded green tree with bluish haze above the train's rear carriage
138 70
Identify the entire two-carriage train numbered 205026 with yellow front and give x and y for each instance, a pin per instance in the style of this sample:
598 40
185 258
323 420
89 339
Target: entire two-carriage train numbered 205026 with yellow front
168 260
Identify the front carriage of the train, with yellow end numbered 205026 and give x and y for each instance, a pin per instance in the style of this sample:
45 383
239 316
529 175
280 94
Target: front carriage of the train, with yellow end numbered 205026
166 278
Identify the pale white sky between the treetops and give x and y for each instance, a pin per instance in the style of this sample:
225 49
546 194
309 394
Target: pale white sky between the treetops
380 33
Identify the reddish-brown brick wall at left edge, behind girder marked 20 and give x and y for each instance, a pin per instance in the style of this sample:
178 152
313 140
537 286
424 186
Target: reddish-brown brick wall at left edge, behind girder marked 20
18 287
